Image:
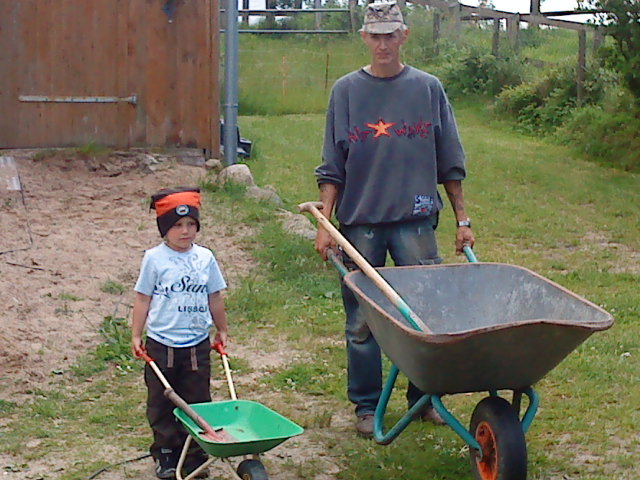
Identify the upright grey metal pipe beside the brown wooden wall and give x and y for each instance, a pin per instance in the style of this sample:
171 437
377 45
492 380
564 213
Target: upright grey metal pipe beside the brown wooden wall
231 84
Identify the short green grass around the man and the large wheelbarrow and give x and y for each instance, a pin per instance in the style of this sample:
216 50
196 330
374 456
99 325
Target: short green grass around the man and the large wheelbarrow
534 204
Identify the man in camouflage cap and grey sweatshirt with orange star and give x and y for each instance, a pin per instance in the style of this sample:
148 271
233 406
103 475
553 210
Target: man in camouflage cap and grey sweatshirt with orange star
390 138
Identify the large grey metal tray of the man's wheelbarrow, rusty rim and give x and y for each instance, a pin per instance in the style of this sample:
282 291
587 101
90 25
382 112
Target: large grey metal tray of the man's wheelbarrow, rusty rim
494 326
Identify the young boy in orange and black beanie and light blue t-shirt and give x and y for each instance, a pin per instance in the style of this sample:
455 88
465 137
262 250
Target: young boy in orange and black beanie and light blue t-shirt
178 294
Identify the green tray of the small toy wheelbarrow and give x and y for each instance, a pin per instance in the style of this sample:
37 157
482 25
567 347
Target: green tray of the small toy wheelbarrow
254 427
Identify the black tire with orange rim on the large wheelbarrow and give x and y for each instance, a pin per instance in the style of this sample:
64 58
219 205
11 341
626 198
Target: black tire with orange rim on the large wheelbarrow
496 427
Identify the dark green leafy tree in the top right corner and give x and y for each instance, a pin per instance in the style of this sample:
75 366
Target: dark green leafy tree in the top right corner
621 20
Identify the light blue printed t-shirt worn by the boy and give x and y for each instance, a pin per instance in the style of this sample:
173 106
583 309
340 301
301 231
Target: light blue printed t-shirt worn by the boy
179 284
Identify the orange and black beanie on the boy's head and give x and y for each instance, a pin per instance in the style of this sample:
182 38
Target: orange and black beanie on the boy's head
171 204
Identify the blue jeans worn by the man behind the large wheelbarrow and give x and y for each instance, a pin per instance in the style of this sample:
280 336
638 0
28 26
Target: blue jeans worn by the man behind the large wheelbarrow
408 243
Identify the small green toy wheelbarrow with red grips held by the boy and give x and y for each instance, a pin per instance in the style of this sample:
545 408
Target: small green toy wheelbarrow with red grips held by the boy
232 428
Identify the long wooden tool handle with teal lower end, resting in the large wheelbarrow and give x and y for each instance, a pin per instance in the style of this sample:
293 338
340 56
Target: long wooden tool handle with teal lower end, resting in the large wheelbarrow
367 269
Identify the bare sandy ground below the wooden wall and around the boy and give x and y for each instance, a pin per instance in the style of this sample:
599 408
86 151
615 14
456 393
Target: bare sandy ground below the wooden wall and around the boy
72 225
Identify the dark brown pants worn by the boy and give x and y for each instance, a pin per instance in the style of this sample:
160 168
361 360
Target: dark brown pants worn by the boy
188 371
